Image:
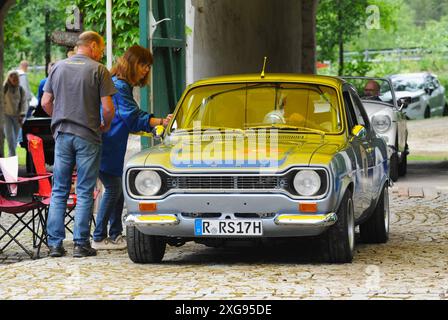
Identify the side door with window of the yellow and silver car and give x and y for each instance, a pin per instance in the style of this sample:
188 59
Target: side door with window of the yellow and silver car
362 189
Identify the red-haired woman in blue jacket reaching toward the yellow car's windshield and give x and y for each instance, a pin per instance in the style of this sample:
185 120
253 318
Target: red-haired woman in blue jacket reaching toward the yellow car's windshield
132 69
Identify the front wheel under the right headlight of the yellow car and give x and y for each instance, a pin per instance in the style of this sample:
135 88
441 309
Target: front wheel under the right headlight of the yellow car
338 242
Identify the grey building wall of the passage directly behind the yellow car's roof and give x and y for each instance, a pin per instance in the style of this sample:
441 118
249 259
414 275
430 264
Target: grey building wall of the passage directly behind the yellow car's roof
233 36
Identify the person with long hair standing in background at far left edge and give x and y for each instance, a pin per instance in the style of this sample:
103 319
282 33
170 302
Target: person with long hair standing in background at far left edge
14 109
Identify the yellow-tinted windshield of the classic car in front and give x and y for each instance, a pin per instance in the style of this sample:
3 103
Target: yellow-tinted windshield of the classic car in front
244 106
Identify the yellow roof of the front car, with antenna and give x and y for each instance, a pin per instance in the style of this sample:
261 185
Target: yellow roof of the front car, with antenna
272 77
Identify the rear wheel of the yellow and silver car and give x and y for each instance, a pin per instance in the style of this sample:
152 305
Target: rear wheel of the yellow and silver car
376 228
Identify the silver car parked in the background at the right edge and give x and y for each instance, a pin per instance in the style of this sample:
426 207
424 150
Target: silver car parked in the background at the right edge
427 94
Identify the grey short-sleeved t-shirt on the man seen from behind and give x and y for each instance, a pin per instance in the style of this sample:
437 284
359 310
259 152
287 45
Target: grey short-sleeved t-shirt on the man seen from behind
77 84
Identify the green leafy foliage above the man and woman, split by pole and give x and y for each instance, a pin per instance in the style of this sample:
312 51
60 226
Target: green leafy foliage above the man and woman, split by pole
125 21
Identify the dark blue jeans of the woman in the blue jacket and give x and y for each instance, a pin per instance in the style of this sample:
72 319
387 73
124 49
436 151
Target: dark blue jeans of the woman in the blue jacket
111 208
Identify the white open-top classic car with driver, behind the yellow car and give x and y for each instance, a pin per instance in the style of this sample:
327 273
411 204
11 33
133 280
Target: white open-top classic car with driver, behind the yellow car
387 118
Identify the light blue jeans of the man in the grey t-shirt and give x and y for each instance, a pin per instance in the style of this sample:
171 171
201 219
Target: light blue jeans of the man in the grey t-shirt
71 150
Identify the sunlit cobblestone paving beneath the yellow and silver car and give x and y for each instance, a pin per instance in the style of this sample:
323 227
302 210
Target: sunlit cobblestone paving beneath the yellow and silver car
412 265
